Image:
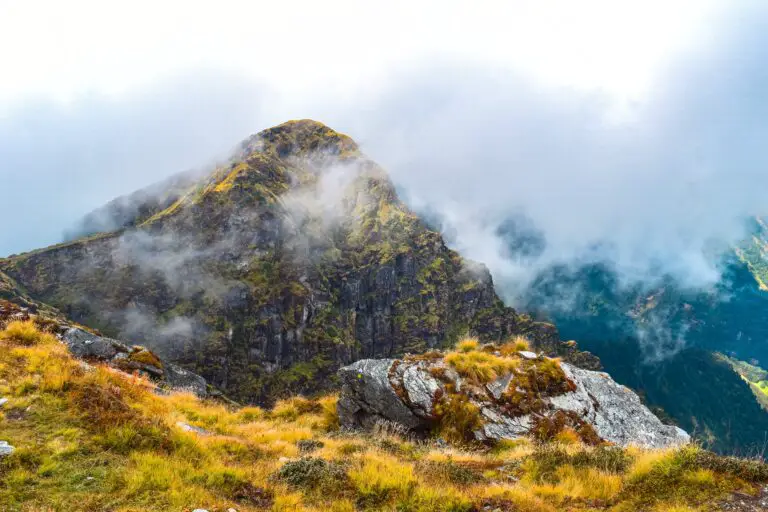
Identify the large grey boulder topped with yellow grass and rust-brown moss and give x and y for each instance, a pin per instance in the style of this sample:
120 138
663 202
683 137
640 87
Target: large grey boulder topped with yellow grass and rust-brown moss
536 396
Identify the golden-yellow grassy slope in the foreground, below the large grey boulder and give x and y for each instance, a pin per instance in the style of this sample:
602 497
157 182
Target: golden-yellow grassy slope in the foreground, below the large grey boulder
94 439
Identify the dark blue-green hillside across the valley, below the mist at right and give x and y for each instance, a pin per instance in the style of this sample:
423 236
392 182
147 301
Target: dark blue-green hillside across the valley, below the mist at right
662 339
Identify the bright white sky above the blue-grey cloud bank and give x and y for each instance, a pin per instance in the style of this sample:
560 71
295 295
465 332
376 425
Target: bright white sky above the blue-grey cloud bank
64 49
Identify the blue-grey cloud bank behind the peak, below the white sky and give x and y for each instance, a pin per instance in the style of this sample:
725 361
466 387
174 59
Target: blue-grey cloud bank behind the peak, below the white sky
647 187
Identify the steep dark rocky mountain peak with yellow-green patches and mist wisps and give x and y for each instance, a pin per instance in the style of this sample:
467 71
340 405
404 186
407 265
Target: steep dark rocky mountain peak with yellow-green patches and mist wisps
272 271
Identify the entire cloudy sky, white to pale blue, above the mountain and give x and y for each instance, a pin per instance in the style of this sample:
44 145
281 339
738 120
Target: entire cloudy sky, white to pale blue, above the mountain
637 125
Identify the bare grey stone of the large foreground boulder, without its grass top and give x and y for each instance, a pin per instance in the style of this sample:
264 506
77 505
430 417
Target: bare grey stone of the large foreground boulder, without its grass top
408 393
